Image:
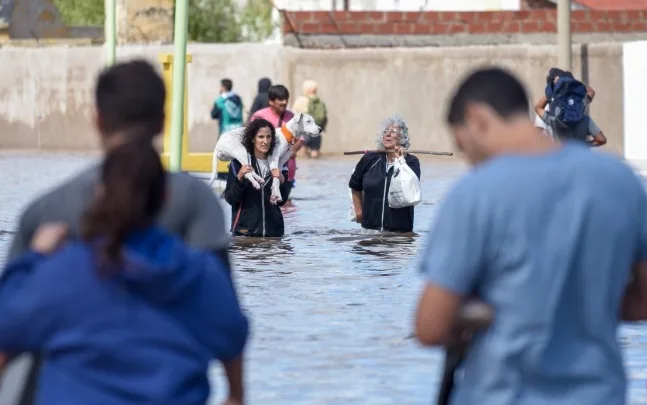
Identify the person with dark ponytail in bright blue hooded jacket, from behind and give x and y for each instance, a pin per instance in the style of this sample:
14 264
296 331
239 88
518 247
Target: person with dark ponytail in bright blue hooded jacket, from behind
129 314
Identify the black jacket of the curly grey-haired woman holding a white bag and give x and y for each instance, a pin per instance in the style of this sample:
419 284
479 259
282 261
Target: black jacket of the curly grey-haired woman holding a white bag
371 177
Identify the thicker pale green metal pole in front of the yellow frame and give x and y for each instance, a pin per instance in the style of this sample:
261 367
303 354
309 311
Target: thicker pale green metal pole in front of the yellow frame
179 65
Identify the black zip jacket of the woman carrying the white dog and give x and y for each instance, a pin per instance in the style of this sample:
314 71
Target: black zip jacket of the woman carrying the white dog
258 217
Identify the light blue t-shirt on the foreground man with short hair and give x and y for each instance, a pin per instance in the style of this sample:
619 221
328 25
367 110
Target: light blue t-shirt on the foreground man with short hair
548 240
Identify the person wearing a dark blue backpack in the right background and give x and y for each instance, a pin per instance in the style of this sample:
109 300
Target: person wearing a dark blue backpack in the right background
563 109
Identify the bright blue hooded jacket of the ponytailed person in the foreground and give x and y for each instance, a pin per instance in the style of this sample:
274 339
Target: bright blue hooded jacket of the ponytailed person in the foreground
144 335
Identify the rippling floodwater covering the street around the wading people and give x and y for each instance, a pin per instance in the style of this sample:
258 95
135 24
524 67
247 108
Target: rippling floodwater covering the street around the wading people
330 309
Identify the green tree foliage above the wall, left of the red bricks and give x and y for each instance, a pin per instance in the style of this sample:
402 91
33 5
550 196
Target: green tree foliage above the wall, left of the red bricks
209 20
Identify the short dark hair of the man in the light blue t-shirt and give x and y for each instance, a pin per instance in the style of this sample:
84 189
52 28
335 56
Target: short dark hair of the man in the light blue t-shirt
497 88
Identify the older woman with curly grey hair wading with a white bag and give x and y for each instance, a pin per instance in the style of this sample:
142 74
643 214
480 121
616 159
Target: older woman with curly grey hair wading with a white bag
371 179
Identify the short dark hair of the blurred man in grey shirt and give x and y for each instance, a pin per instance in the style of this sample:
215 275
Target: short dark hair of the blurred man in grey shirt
131 95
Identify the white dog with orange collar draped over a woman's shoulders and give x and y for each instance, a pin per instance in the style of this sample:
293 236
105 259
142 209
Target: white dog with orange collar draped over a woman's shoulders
230 147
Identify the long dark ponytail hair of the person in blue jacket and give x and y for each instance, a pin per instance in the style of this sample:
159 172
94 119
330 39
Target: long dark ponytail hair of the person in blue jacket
133 184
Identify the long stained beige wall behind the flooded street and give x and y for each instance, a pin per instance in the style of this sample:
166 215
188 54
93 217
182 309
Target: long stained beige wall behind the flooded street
46 93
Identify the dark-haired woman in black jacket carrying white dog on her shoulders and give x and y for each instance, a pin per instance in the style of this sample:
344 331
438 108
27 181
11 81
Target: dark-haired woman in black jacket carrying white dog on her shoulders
252 212
